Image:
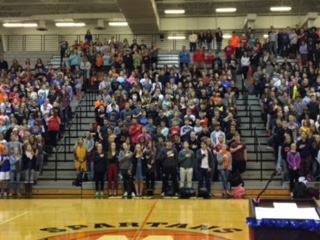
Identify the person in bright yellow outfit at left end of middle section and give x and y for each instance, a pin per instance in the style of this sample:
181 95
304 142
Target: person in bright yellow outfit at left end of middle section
80 155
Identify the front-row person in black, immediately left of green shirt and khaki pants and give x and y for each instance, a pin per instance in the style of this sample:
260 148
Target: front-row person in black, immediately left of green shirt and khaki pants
169 158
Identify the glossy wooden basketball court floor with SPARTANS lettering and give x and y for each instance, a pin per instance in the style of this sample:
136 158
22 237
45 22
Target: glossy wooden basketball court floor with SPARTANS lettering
117 219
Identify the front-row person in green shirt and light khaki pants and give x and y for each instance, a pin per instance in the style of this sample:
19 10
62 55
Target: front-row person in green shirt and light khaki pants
186 160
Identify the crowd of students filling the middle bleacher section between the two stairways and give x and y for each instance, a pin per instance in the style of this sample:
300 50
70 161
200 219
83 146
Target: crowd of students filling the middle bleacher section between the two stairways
158 123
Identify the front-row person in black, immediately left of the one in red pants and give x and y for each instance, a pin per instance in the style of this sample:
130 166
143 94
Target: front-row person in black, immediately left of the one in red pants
100 169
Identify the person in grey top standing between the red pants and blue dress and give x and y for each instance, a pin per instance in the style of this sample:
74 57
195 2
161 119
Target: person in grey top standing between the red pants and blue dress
125 156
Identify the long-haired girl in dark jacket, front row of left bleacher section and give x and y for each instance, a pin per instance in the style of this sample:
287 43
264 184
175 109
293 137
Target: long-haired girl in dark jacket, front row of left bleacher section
28 166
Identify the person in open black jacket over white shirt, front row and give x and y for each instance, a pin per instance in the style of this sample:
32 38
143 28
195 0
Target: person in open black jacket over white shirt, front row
206 161
